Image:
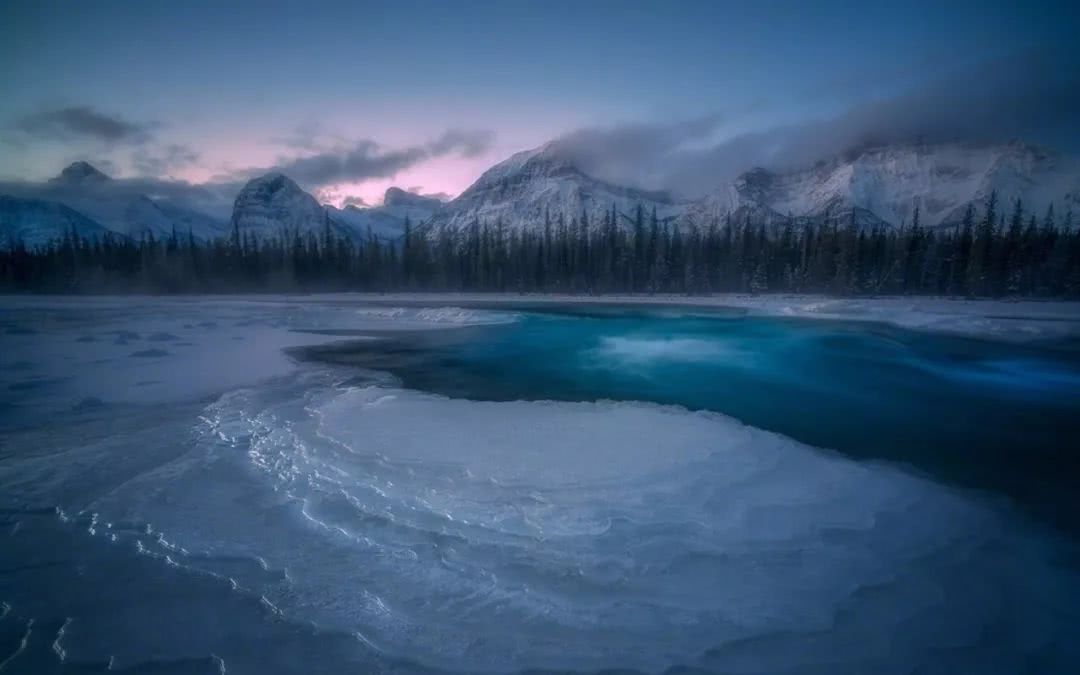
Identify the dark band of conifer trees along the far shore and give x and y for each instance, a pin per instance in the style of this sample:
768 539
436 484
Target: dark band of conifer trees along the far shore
993 252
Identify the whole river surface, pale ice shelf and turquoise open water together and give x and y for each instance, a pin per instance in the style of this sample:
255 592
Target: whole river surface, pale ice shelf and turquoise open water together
293 485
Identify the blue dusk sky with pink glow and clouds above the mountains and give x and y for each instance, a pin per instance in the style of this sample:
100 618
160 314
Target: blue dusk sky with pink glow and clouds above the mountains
353 98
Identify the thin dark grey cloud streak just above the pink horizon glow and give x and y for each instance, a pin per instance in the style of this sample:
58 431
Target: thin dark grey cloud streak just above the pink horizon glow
367 159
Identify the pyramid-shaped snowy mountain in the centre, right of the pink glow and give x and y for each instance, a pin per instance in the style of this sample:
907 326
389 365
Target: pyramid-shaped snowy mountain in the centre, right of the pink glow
523 190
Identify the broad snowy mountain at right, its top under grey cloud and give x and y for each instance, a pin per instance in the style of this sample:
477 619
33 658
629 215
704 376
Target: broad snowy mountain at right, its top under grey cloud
885 185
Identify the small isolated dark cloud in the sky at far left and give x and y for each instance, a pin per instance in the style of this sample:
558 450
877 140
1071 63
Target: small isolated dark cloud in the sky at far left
82 123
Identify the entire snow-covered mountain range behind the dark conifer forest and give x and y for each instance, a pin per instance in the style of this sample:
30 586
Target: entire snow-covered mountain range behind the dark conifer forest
879 187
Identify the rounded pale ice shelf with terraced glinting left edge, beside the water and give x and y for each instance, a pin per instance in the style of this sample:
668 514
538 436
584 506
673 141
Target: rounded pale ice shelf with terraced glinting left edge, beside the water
616 535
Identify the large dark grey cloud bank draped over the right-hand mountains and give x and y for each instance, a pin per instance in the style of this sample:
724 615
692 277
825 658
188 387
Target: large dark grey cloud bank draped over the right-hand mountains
1031 98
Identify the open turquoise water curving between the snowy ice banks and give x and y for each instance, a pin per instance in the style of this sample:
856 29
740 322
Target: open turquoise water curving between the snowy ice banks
989 415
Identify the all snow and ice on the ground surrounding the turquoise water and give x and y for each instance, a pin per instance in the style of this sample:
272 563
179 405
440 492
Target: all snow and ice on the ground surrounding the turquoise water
180 495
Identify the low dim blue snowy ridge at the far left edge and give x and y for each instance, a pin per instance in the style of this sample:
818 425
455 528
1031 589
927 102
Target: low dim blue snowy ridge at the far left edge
37 222
